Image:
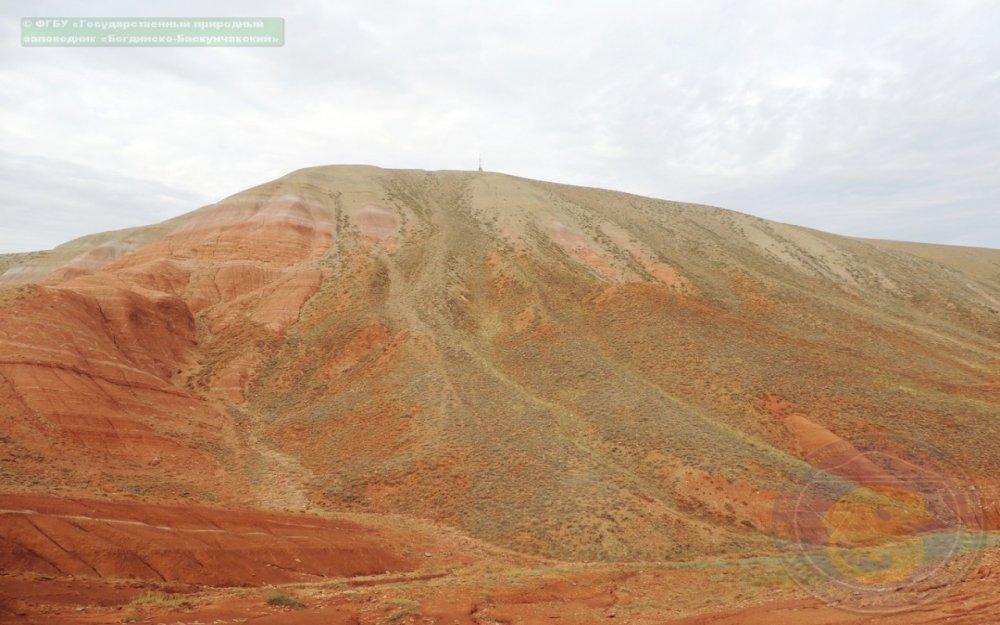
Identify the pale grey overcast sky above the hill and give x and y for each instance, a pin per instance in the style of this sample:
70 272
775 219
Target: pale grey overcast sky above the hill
875 119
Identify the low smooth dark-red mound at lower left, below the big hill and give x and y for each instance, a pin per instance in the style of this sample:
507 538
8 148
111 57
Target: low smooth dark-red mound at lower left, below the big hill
185 545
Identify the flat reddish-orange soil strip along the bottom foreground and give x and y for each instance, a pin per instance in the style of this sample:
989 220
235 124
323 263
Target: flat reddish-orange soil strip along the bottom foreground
497 594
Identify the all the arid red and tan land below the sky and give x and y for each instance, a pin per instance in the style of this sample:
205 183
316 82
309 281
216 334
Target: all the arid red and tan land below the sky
358 395
